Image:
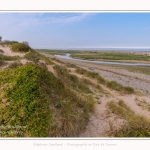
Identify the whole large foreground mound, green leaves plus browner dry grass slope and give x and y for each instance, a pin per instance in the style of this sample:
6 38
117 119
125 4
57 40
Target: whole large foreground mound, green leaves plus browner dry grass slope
40 104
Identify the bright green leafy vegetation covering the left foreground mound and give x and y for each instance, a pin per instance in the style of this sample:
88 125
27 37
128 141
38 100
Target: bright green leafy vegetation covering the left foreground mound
22 102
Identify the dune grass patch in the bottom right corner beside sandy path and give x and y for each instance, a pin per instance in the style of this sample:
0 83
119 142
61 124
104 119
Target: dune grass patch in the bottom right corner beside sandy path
137 126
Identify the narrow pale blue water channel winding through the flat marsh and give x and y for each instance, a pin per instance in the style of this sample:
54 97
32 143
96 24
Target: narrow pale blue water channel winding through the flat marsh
67 56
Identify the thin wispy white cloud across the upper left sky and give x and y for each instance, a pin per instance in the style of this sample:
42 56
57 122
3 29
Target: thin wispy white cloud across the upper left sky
17 20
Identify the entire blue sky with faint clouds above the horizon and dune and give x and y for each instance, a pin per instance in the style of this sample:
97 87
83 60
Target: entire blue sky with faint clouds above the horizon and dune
77 29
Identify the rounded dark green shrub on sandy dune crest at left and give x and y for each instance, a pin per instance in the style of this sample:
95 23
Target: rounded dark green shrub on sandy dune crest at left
20 47
